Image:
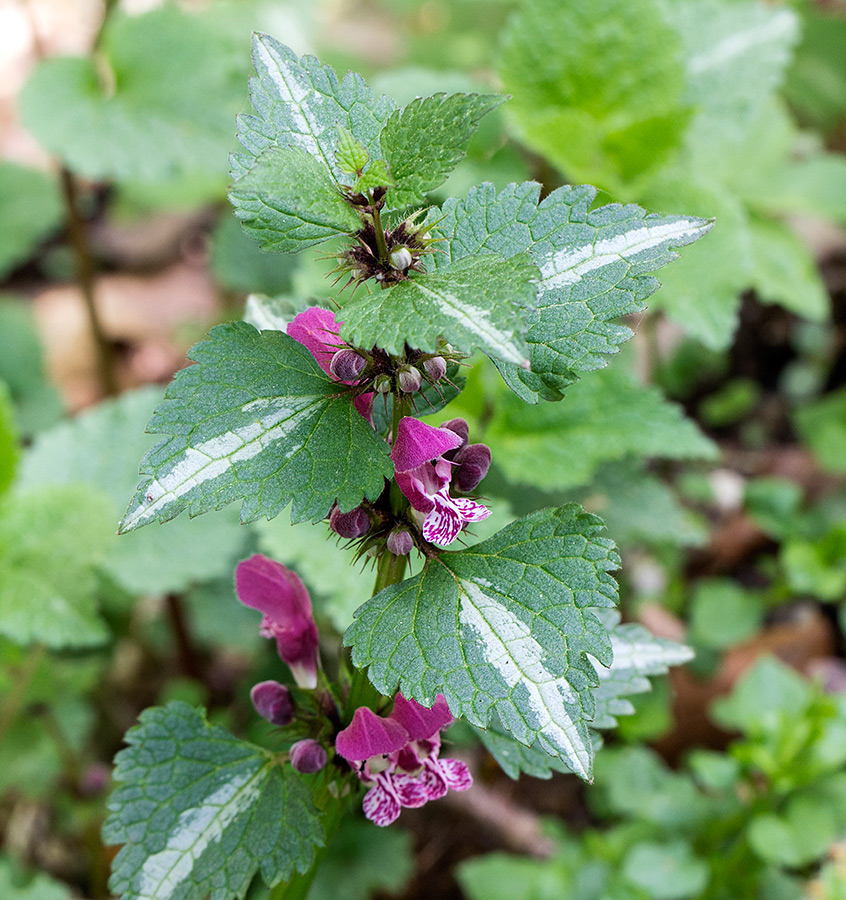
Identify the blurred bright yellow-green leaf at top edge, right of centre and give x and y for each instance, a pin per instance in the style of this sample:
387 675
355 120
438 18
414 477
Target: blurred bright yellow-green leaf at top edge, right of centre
597 86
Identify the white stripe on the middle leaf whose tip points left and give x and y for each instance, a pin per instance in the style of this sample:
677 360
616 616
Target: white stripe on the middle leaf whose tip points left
212 458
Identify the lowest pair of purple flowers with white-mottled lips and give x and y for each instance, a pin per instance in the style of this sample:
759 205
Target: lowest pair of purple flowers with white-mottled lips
398 757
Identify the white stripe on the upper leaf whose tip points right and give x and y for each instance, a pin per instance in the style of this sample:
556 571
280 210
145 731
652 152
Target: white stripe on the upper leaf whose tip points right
570 265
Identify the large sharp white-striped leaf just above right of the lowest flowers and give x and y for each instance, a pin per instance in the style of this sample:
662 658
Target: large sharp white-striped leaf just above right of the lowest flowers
504 627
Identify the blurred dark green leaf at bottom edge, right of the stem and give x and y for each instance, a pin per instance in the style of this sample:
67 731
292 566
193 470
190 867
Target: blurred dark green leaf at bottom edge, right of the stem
364 859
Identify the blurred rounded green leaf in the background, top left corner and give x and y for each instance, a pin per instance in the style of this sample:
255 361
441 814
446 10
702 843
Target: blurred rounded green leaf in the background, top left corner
159 102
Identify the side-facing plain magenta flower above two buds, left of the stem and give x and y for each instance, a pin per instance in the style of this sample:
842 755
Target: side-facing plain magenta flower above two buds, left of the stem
277 592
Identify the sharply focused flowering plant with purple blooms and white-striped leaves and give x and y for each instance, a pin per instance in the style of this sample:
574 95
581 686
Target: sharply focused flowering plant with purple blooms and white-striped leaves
515 634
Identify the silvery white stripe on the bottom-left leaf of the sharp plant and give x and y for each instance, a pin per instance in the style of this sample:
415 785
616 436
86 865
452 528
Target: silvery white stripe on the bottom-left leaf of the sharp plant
195 831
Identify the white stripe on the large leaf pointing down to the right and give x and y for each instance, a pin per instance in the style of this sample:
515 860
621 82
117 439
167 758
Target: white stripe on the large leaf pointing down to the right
510 648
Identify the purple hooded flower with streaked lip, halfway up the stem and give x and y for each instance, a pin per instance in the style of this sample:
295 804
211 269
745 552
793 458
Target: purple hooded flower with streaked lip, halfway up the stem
424 475
